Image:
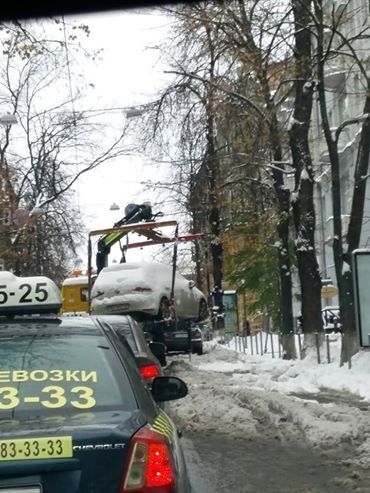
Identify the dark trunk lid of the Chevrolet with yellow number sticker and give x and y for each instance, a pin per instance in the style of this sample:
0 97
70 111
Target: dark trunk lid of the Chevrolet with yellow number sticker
80 454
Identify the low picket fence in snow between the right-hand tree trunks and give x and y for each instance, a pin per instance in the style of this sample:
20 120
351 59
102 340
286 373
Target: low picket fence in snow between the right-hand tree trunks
270 344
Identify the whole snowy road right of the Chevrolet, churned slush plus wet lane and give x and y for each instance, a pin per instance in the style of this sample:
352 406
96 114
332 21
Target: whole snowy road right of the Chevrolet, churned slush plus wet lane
246 432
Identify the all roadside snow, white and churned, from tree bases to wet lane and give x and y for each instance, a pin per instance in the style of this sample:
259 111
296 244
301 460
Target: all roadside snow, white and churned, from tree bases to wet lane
234 392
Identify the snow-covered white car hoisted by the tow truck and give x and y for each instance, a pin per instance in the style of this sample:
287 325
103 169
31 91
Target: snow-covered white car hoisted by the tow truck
145 288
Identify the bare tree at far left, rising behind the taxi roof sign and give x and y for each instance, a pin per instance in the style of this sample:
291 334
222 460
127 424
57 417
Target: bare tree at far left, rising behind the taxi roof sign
53 144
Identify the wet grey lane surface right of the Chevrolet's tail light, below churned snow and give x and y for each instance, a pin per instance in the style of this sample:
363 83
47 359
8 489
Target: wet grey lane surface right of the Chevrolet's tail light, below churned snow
222 463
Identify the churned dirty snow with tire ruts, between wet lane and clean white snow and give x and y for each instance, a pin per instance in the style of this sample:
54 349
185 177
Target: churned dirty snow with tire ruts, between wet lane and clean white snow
218 401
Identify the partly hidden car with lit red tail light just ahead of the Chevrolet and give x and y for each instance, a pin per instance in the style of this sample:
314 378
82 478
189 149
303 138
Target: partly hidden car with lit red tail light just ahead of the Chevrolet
150 356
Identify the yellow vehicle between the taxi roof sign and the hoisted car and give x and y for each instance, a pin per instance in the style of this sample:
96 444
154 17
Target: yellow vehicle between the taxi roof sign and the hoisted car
75 294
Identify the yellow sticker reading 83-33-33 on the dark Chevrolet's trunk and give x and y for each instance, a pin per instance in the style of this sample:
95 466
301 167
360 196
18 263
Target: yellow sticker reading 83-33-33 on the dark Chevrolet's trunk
36 448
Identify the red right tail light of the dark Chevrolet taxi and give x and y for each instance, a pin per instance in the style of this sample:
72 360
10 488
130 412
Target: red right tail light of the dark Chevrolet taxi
150 468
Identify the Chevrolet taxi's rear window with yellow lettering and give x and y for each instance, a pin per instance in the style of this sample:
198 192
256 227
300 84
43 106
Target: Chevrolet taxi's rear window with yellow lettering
44 373
